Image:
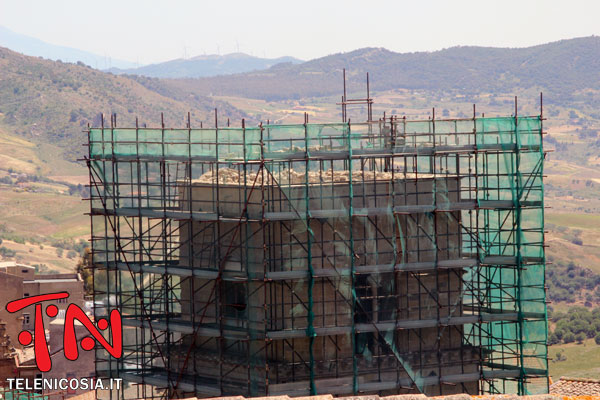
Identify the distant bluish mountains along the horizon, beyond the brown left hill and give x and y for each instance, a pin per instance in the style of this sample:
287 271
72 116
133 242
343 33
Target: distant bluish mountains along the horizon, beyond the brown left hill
563 70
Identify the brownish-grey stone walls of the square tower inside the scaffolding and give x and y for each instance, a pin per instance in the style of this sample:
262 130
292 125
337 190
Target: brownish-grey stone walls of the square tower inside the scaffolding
278 308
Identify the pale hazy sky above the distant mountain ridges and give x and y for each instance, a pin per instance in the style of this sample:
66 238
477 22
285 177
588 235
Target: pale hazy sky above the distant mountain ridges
148 31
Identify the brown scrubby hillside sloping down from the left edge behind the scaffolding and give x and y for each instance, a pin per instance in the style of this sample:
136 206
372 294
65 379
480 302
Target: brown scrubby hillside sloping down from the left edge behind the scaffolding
52 102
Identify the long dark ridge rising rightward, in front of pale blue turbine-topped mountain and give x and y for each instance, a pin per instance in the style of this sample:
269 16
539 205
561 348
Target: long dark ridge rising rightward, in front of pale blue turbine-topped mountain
560 68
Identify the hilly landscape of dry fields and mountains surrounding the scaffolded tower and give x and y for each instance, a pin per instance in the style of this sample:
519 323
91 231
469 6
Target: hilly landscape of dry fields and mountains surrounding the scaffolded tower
45 107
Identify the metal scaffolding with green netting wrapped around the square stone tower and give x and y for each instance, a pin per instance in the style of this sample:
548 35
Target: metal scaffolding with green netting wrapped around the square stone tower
385 257
